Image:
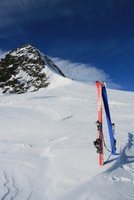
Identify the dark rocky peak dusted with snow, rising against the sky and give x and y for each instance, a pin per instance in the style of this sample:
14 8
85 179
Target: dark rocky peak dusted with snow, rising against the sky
26 69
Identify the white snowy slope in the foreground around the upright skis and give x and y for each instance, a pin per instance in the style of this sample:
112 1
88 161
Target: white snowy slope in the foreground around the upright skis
46 145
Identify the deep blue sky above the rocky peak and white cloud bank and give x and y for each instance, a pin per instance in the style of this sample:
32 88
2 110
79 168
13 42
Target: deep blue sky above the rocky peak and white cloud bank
98 33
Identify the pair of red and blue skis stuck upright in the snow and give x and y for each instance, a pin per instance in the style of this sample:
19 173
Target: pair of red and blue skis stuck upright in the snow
102 95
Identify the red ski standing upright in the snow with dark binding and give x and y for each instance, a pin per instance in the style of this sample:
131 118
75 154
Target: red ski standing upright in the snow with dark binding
99 123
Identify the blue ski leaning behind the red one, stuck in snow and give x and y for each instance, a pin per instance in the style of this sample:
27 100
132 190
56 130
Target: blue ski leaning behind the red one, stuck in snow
108 117
